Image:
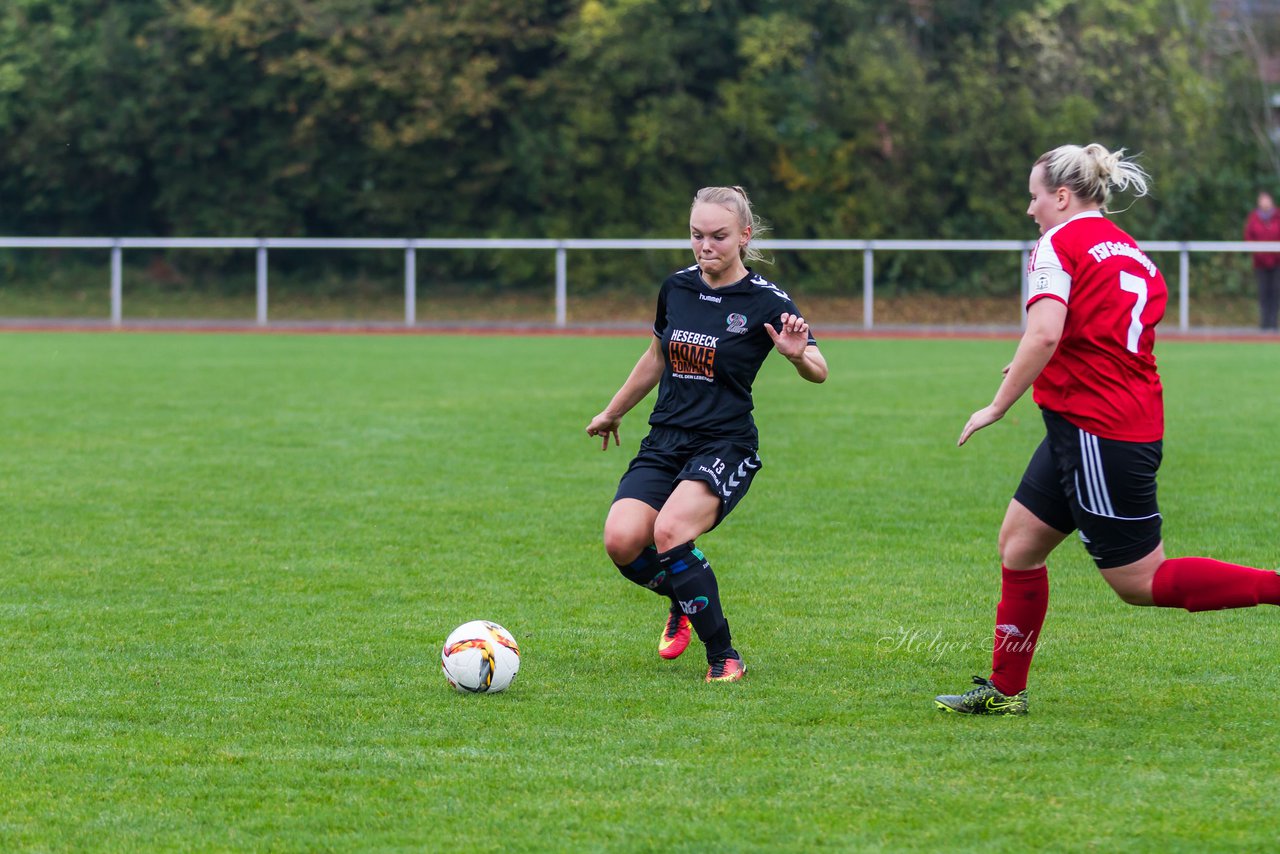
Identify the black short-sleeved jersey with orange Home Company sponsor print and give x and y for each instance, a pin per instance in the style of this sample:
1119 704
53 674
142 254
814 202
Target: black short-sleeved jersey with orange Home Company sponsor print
714 342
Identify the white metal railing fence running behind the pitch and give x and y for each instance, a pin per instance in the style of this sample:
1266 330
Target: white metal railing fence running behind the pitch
412 246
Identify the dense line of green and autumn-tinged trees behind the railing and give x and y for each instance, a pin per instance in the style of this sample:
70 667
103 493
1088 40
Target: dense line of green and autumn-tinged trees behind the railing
600 118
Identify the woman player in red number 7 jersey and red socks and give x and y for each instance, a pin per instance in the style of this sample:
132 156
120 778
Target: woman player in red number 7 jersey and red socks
1087 353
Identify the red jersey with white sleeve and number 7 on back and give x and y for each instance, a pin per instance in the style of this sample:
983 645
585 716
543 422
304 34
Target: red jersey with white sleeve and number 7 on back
1103 376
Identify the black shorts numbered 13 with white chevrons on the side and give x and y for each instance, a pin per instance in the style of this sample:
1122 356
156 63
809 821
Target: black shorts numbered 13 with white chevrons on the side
671 455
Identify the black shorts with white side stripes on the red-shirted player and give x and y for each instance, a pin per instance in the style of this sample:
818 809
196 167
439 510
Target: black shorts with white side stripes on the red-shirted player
1104 488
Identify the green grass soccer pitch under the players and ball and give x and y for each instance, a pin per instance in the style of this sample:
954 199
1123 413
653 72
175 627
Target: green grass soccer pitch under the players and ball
228 565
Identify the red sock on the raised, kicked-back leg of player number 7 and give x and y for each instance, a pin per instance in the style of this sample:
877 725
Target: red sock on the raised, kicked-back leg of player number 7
1205 584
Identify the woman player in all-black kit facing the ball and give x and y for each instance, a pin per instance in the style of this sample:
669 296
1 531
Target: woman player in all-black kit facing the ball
716 323
